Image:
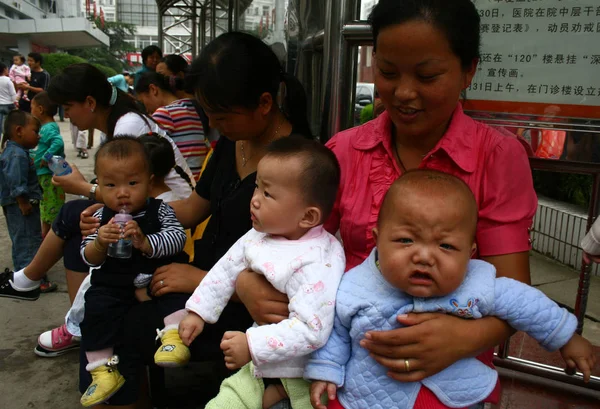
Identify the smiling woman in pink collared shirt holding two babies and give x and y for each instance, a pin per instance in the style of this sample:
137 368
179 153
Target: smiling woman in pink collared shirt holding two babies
426 53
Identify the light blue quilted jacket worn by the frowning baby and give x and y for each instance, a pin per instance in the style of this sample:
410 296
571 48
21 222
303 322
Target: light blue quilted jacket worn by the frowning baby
367 302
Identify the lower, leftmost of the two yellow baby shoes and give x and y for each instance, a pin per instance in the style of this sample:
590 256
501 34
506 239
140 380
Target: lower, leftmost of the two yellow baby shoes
106 381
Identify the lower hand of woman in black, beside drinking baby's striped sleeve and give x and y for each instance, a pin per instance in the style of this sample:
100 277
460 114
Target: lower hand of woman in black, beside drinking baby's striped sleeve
176 278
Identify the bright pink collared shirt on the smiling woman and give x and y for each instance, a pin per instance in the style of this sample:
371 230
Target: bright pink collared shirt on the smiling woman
494 165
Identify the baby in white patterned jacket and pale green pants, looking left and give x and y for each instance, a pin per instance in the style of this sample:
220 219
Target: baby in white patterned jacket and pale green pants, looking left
296 187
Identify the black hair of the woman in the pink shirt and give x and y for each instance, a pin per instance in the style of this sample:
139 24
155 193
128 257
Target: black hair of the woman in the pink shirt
457 19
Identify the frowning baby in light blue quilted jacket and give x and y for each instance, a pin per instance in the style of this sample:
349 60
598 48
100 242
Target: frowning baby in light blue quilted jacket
425 239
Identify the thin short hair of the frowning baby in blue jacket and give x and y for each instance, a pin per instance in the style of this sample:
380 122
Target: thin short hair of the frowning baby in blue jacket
434 184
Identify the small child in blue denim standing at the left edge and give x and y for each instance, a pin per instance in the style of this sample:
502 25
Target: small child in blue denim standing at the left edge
20 192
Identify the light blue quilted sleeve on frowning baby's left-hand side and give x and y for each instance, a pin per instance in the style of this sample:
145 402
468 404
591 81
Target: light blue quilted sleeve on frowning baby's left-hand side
328 363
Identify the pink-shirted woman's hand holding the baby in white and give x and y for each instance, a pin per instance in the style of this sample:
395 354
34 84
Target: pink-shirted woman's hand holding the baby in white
265 304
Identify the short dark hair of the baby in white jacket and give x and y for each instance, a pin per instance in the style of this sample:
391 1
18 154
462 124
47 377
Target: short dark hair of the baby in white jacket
320 176
